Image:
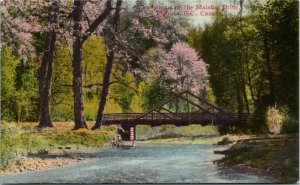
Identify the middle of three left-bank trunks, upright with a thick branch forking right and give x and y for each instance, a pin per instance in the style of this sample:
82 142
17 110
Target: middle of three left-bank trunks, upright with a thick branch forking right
80 34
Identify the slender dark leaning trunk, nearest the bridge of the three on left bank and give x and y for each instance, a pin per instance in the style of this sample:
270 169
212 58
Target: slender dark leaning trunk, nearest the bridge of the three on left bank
108 68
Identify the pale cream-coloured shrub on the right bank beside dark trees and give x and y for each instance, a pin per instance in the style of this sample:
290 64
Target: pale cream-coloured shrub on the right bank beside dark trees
274 120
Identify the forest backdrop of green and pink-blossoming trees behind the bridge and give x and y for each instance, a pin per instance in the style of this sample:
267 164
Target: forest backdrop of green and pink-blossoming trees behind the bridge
252 61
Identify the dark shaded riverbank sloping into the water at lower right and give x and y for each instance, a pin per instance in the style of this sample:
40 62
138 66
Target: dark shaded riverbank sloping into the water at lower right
277 157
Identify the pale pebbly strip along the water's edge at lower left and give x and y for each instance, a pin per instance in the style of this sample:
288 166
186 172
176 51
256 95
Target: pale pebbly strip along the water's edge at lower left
46 160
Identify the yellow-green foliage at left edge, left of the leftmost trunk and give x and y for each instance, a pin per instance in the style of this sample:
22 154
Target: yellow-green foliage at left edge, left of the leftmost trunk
19 87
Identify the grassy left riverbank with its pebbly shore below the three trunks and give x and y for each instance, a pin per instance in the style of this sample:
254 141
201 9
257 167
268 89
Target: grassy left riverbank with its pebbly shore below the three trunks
26 147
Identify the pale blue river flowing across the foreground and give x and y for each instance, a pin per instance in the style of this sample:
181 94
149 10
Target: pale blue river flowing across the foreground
146 163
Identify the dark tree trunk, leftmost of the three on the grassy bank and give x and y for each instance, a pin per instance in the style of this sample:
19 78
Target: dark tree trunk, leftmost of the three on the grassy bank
45 71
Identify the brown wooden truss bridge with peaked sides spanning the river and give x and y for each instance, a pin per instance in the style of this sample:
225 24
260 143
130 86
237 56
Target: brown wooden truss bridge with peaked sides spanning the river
181 109
